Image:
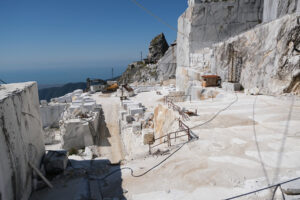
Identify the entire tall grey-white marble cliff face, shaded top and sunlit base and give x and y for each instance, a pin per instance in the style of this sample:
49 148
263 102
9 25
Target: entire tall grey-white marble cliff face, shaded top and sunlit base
208 30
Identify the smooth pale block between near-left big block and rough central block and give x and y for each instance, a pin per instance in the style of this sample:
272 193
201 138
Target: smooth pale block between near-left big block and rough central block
51 114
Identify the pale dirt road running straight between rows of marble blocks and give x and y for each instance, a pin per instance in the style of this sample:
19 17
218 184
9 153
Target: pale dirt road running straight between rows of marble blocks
111 145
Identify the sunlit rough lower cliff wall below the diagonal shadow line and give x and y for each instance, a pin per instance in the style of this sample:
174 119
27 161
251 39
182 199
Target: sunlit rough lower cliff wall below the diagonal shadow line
266 57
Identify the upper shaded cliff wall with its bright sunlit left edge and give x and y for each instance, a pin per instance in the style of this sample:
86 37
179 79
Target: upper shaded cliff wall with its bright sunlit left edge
206 22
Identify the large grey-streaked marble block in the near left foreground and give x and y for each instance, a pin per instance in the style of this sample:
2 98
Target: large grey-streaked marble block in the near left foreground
21 139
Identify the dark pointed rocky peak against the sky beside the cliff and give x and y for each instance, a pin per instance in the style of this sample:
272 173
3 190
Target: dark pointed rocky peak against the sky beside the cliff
158 47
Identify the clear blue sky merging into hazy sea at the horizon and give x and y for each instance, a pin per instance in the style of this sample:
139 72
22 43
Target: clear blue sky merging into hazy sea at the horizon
65 37
